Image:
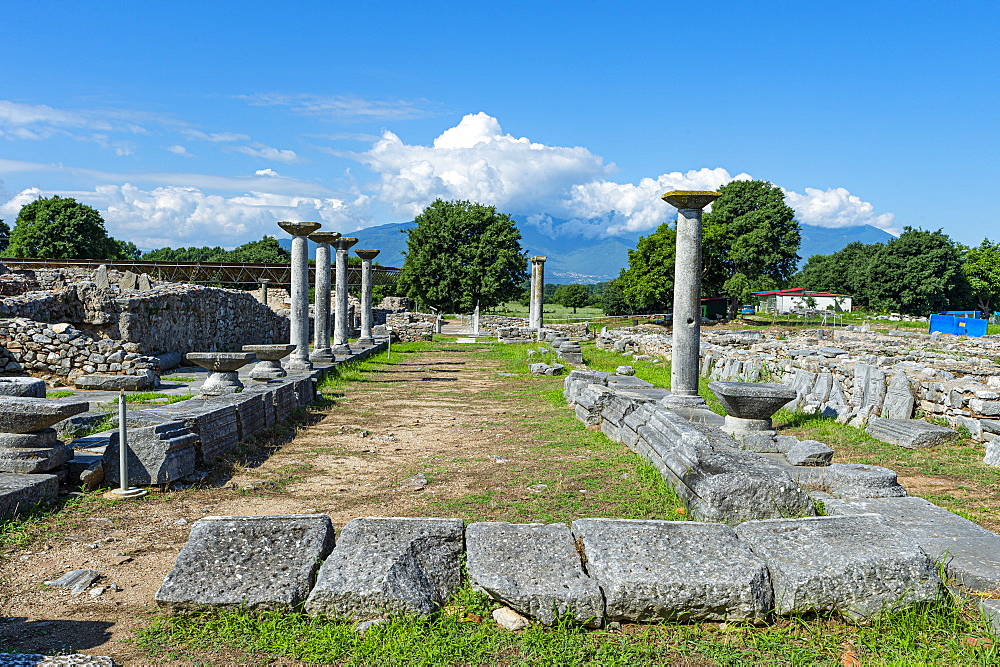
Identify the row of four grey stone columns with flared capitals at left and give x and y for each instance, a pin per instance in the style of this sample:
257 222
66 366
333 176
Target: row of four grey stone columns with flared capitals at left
323 351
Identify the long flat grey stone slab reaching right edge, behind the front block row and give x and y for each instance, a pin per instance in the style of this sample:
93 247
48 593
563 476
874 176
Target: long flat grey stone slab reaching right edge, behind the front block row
970 553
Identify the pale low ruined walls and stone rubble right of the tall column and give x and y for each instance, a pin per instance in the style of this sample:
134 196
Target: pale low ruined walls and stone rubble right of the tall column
872 380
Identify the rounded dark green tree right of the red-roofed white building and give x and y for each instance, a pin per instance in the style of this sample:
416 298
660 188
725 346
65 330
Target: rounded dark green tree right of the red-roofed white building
918 273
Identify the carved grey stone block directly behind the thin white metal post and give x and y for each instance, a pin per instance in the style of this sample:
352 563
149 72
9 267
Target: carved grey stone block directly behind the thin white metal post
156 454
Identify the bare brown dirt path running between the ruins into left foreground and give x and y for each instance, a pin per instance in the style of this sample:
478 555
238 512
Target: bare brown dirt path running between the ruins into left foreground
447 415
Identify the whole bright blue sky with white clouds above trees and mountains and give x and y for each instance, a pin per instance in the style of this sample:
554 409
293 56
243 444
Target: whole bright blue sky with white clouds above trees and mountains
193 123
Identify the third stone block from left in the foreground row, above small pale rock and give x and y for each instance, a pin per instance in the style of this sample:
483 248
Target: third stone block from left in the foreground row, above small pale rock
534 569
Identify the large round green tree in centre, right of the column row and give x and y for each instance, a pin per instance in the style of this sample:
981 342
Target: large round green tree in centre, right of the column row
461 254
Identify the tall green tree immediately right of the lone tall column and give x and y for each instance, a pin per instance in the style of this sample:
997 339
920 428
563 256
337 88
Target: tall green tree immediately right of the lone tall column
750 232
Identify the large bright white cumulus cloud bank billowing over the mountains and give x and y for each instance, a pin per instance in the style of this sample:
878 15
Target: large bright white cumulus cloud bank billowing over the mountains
476 160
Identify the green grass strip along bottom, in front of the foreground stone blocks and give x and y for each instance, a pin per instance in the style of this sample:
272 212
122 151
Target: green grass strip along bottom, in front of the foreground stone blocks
464 634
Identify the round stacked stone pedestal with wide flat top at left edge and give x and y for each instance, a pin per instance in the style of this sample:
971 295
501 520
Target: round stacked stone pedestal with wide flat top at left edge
28 444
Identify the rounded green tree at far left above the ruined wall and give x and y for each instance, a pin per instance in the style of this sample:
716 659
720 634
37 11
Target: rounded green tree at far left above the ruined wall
60 228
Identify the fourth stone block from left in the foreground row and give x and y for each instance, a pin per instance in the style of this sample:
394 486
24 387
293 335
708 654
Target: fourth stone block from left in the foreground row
673 570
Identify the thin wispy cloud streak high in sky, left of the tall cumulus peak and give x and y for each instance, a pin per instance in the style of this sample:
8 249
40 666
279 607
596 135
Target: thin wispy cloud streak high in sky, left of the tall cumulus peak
343 106
